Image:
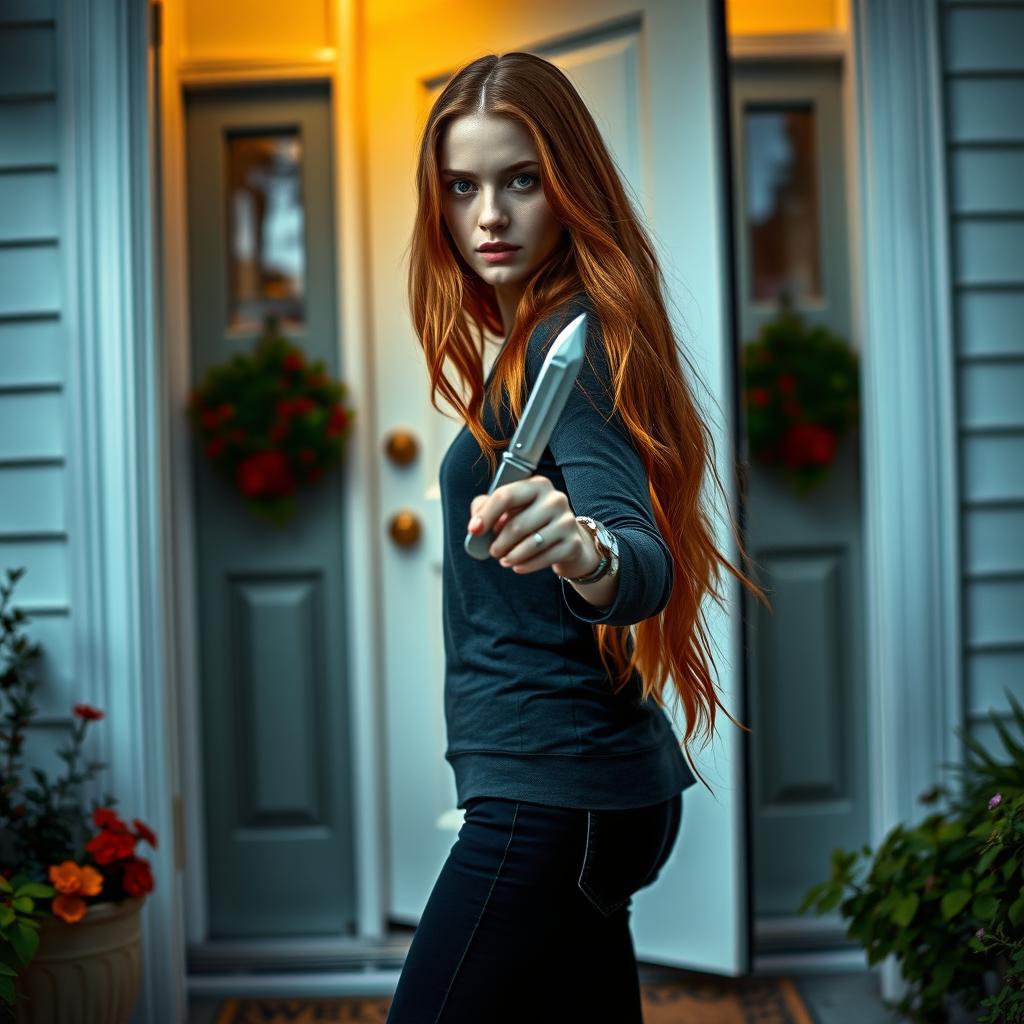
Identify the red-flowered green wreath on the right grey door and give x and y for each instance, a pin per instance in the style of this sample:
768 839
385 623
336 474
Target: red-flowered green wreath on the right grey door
801 394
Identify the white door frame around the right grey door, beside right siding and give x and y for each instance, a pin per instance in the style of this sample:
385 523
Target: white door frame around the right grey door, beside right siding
902 289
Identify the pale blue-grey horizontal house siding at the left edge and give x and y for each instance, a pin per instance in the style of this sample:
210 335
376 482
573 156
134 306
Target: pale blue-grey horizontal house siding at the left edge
33 357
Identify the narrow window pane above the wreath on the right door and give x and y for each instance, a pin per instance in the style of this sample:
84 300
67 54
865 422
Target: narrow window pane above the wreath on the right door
783 206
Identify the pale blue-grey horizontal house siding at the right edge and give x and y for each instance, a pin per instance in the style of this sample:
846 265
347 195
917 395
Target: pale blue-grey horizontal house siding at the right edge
984 92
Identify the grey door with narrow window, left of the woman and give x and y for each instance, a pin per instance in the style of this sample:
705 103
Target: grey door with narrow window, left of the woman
274 695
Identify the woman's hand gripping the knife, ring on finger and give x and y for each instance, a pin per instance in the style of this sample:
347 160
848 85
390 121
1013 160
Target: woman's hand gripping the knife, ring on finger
517 511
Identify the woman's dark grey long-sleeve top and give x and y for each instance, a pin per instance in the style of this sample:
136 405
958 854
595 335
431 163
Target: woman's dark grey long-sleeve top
529 707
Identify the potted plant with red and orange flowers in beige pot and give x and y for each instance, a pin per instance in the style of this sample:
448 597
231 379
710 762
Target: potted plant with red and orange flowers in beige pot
72 884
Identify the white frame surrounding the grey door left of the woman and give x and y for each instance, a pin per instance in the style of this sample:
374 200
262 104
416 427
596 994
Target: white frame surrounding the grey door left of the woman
340 67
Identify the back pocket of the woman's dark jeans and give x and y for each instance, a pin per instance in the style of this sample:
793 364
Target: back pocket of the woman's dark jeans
625 851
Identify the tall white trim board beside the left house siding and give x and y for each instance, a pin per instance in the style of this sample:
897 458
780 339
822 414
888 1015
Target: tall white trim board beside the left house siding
116 506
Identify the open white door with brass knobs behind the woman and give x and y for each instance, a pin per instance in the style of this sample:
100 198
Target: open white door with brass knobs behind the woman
650 72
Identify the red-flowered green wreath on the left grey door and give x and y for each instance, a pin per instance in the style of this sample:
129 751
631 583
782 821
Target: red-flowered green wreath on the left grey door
271 422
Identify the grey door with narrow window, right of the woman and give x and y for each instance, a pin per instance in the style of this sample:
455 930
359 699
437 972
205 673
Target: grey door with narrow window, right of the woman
809 746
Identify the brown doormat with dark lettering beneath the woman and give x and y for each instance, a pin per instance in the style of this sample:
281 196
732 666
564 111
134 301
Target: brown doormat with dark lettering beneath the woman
702 998
